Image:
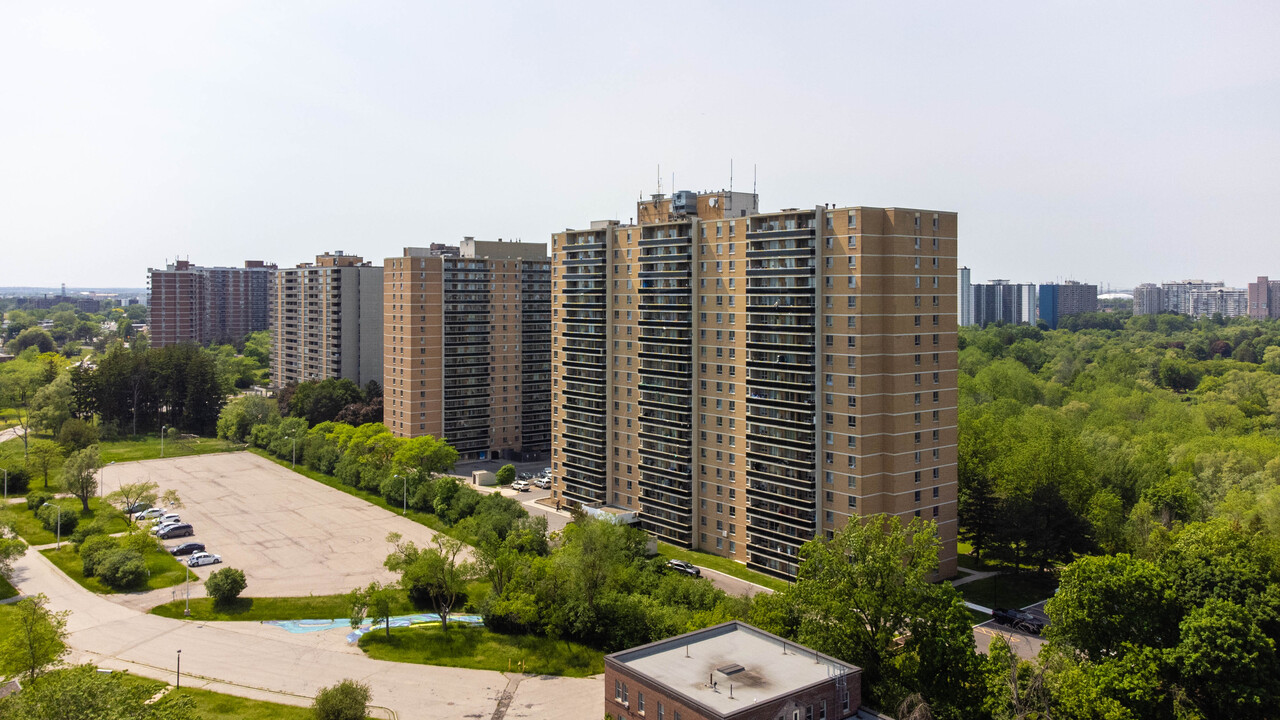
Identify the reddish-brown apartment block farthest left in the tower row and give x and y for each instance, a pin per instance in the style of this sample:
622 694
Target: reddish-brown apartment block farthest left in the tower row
196 304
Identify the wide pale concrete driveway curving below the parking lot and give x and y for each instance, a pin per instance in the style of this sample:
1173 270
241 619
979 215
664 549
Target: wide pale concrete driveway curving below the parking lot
257 662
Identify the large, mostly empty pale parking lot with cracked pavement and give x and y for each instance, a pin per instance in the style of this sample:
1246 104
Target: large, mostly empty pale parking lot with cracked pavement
290 535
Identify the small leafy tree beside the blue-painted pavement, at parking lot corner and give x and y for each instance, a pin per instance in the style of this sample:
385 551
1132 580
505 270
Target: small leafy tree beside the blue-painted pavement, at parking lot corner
433 575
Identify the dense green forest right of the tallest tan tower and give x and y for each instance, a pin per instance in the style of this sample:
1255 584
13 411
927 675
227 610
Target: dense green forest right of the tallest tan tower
1142 454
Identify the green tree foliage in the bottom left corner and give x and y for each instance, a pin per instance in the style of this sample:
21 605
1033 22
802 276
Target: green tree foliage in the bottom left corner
84 692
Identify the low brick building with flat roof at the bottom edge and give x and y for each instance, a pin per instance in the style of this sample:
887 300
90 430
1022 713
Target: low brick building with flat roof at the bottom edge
730 671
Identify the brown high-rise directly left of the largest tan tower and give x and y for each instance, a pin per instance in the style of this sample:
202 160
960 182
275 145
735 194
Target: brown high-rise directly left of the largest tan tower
468 348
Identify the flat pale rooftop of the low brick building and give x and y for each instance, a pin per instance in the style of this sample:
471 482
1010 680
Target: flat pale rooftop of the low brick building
761 667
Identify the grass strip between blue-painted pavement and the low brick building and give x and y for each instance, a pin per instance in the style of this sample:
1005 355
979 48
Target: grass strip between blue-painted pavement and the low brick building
483 650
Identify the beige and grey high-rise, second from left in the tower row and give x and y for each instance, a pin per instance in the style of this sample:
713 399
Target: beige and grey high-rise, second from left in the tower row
327 321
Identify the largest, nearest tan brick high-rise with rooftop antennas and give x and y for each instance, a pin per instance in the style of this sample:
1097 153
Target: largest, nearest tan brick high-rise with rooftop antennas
743 382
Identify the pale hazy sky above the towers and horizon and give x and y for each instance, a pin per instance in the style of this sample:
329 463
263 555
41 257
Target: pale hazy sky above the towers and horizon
1113 143
